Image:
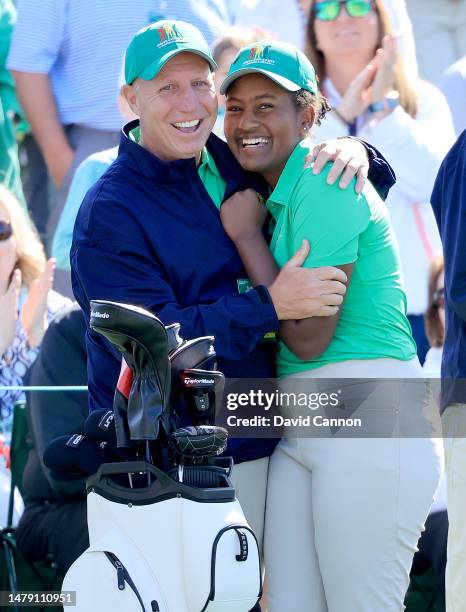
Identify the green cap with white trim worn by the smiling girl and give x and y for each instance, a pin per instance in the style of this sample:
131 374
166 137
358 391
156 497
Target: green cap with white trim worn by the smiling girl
281 62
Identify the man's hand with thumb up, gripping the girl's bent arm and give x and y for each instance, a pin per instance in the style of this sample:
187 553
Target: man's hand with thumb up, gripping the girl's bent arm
299 293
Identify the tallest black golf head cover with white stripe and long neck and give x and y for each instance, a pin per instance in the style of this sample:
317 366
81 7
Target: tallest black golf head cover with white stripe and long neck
143 341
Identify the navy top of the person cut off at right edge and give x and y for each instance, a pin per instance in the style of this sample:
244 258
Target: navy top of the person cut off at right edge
449 204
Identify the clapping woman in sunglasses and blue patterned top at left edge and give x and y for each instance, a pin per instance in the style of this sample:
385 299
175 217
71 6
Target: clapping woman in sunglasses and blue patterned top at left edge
27 302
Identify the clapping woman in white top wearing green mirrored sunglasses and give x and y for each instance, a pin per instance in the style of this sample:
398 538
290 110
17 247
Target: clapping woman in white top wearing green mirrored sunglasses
354 51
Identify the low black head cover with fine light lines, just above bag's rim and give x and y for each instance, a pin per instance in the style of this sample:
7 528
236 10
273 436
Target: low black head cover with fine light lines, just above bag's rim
200 441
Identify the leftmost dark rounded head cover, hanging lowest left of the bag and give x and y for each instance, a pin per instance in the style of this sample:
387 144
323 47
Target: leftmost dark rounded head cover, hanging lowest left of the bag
76 456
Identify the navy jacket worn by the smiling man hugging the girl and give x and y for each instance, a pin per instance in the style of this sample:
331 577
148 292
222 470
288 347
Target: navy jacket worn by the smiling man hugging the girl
147 233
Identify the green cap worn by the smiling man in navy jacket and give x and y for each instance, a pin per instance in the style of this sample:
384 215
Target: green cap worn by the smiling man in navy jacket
153 46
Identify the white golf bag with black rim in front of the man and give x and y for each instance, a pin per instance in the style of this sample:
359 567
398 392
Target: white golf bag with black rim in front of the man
171 547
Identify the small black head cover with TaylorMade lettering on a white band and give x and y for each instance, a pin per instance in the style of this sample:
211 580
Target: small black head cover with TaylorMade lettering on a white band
203 392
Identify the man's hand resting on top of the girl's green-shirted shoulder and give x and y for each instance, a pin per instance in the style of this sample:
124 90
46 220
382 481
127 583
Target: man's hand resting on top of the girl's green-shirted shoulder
349 158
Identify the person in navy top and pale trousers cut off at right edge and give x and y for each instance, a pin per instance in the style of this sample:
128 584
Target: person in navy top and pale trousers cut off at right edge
449 204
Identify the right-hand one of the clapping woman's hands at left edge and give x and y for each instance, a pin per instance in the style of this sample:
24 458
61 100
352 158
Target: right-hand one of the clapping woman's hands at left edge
34 313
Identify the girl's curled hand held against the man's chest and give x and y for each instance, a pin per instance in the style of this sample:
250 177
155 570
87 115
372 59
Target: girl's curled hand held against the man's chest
243 214
